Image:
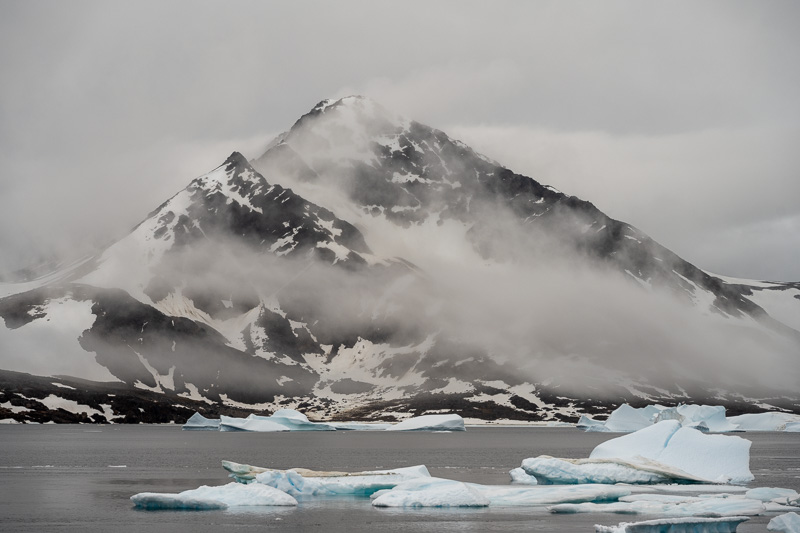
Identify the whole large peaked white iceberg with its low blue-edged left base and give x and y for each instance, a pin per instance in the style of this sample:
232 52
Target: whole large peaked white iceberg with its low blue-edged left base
662 453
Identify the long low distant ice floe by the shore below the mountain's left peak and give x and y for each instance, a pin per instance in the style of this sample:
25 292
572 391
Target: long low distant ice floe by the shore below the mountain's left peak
291 420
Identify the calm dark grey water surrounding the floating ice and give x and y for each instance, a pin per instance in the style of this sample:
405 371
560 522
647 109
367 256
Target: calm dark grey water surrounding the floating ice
68 478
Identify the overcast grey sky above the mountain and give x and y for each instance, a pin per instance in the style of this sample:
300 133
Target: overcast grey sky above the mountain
681 118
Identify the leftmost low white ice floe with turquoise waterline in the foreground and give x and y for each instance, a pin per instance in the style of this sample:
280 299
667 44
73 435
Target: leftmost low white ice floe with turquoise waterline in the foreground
222 497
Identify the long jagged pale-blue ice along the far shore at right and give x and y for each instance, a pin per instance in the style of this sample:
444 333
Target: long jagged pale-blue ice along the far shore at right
706 418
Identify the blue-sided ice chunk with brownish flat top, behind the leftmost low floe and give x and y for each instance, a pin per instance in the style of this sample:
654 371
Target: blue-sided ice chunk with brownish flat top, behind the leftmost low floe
300 482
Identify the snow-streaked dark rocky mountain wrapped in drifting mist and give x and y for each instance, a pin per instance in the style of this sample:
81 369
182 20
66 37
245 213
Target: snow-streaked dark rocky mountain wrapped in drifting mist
366 264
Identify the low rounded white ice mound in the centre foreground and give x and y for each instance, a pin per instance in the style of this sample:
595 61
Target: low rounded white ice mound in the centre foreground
431 492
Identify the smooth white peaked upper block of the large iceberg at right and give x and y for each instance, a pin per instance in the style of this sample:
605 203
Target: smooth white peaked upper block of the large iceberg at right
714 458
